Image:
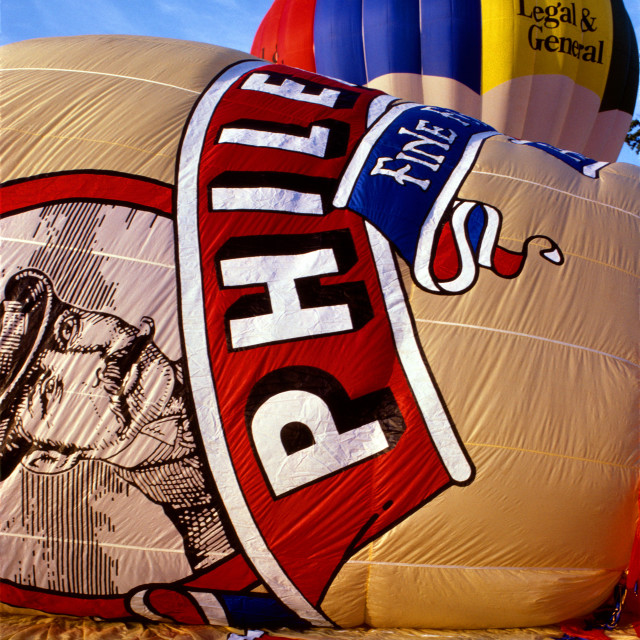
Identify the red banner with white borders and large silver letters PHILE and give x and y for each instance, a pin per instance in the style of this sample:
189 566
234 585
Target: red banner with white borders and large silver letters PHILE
322 424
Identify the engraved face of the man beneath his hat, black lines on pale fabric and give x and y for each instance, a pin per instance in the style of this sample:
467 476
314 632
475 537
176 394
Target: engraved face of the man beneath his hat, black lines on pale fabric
96 369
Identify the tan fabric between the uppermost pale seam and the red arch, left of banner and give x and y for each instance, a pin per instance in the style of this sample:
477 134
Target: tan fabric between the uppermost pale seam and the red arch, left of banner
79 144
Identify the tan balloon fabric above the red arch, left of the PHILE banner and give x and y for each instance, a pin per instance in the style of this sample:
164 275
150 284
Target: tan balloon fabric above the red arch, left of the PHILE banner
114 103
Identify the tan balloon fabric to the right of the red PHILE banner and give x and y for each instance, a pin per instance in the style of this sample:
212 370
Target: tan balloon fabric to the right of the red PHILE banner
540 376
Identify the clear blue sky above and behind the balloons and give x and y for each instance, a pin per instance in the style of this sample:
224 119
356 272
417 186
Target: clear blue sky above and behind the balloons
230 23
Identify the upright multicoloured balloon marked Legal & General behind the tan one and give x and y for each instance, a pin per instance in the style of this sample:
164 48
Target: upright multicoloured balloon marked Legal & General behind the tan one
562 72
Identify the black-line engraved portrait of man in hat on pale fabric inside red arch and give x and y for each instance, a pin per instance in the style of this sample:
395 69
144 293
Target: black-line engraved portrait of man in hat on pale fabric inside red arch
96 436
